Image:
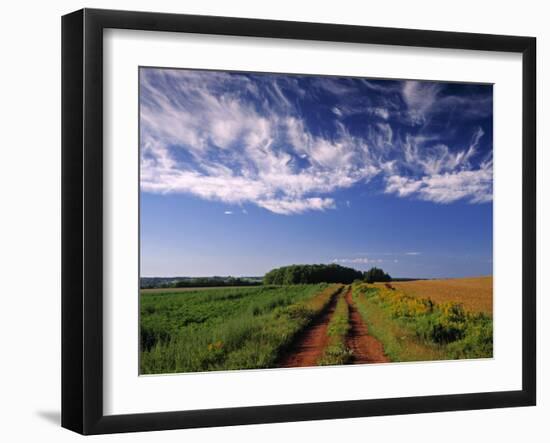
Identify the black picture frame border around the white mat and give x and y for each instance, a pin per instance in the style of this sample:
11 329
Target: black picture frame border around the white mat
82 219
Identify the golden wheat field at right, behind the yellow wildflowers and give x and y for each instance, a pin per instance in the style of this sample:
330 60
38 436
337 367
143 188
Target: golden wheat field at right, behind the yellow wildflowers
475 293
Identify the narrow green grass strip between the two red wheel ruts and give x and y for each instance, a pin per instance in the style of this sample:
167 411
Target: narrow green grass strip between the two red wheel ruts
337 353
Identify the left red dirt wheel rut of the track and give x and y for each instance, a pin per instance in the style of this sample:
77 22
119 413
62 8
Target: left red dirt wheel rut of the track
310 344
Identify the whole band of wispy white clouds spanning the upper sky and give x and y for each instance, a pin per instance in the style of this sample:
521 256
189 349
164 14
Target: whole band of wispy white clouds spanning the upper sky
202 134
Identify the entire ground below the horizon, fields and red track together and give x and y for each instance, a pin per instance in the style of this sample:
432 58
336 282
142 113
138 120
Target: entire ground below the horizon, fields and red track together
209 329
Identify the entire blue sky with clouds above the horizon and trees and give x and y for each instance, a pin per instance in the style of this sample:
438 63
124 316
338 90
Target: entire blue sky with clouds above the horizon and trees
244 172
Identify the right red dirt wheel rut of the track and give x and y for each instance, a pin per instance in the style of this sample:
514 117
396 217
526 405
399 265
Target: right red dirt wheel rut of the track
365 348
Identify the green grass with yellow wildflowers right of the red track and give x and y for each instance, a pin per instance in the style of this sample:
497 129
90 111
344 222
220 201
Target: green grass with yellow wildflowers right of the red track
413 329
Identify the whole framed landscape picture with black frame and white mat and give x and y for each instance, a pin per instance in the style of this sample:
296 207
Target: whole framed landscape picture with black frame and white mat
269 221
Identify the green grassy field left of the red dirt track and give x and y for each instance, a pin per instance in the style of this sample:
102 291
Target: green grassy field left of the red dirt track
221 329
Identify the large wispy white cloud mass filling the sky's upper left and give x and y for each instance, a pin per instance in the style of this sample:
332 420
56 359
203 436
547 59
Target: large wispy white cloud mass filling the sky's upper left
236 152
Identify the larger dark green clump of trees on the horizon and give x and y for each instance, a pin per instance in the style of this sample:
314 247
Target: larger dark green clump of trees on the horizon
311 274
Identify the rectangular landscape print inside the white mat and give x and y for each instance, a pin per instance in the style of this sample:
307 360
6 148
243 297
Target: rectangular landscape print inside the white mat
292 220
